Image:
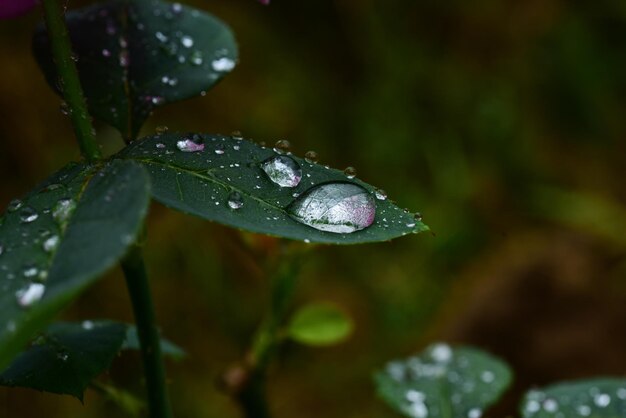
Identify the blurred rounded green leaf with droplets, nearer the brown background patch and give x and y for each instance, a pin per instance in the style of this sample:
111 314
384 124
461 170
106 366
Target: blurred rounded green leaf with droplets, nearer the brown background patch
444 382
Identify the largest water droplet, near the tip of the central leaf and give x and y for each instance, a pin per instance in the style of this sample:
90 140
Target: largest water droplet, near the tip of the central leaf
335 207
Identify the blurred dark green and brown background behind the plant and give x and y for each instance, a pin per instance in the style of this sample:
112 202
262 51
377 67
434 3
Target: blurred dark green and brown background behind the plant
503 122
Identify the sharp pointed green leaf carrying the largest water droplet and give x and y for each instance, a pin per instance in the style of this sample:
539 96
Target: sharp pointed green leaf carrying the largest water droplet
225 182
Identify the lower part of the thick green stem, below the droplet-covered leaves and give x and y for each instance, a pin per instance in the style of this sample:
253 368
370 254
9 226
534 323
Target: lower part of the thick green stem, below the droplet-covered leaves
148 332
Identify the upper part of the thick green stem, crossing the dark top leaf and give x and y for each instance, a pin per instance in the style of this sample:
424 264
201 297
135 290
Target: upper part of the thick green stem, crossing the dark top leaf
69 81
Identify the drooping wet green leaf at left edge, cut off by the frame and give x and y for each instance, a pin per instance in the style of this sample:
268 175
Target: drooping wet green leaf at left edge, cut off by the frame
57 240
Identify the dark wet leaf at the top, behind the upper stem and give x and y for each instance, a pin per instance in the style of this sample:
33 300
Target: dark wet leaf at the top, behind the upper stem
136 55
